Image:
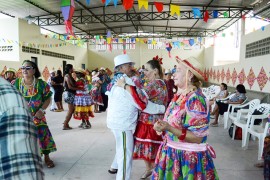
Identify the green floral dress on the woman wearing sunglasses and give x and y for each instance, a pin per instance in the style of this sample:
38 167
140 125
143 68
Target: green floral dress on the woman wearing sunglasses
35 97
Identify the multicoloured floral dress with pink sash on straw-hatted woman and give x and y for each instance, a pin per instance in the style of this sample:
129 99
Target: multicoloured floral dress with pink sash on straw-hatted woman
192 113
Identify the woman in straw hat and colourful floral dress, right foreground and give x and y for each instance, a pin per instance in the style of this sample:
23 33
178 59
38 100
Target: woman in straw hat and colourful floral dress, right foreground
184 153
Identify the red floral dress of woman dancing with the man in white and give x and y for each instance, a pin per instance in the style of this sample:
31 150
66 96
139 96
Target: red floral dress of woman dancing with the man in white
147 141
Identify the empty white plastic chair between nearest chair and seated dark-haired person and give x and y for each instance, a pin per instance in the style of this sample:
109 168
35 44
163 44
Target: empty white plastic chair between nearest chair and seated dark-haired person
234 116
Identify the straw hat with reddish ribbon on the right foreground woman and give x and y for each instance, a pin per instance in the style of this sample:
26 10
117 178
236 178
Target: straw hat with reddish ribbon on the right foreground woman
194 66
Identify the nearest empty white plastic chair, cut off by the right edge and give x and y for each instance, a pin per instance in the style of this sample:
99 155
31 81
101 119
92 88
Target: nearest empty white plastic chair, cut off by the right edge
259 131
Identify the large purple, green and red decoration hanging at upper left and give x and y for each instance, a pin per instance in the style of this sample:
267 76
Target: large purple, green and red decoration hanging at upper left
67 8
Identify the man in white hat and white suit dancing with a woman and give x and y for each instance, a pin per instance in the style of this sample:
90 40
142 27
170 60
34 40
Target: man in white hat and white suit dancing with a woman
124 103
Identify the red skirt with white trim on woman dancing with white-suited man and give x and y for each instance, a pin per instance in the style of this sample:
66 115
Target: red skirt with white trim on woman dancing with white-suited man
146 142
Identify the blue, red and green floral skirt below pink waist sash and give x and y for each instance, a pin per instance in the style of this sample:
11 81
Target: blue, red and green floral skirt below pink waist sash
177 164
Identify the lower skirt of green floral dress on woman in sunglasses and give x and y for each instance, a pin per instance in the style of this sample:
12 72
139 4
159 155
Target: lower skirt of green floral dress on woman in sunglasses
46 142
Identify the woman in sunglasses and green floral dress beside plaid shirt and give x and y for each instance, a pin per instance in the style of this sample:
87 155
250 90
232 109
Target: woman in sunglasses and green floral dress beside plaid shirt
37 94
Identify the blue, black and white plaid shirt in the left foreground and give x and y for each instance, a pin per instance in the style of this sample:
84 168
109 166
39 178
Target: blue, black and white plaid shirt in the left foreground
19 155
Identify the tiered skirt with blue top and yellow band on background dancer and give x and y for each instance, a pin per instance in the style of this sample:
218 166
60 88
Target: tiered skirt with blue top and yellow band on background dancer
83 107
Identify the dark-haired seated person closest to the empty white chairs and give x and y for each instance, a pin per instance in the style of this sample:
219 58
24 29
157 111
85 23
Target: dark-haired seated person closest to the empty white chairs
238 98
